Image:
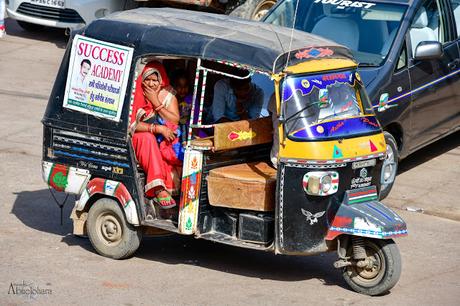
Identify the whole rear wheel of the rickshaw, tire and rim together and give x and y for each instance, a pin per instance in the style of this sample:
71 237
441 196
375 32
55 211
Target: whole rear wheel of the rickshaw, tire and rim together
109 232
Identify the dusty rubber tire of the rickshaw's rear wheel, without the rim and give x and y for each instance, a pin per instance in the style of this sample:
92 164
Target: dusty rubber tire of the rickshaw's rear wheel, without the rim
131 235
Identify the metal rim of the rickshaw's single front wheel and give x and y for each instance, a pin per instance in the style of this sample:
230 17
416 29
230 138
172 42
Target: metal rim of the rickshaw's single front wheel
373 273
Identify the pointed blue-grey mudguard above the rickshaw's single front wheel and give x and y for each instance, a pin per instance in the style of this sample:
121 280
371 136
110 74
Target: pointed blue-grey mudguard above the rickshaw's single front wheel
359 217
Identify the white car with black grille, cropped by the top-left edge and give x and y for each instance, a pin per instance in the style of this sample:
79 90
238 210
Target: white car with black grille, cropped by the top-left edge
73 14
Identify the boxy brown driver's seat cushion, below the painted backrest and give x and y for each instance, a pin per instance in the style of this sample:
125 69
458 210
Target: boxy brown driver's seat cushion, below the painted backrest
243 186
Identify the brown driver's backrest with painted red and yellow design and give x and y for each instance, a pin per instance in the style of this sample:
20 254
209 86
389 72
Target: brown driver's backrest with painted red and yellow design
237 134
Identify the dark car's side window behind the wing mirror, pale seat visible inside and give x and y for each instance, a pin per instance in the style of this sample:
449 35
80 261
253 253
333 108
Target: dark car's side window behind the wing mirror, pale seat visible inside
427 25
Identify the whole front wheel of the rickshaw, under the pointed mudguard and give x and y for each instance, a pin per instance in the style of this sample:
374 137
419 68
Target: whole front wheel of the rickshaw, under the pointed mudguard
382 274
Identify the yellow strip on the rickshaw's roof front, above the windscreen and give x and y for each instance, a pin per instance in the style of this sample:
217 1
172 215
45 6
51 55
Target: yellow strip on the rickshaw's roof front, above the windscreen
321 65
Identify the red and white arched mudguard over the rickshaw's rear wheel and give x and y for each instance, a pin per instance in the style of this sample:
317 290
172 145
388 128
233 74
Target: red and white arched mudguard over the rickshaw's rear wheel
112 189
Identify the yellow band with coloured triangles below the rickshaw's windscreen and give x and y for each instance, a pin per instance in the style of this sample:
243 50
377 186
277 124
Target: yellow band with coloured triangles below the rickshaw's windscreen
329 150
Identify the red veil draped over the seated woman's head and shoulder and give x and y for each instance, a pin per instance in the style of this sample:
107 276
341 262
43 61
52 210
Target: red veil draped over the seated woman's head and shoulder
141 105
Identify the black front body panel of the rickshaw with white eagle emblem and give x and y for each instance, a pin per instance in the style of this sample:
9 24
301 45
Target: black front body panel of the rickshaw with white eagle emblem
298 234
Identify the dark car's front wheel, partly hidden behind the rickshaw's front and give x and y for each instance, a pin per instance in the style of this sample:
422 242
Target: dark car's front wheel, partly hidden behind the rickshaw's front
390 166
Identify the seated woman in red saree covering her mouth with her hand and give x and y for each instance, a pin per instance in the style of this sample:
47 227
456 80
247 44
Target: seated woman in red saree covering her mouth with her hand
154 101
